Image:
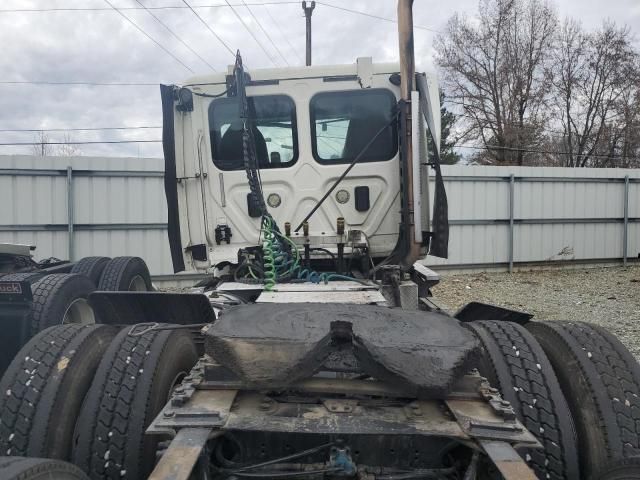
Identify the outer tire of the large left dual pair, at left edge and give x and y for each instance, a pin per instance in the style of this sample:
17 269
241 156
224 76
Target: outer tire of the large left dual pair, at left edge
43 389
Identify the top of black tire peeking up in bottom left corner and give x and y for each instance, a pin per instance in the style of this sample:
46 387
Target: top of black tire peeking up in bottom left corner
20 468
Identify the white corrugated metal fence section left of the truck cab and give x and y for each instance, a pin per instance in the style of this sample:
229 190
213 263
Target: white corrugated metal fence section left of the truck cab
80 206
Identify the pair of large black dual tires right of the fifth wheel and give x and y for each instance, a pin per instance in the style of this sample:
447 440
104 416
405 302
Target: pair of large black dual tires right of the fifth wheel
576 388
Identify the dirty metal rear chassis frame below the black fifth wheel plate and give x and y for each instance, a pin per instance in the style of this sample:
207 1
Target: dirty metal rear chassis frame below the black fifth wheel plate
347 414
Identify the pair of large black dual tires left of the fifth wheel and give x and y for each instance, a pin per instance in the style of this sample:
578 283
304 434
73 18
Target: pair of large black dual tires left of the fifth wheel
87 393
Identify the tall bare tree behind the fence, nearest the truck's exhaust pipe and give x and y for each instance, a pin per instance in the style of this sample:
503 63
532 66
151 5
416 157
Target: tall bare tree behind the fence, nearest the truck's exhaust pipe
495 69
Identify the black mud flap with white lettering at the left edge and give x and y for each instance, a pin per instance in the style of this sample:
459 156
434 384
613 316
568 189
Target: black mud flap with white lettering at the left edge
15 306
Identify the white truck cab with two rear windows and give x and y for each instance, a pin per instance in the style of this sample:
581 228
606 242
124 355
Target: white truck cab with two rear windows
309 125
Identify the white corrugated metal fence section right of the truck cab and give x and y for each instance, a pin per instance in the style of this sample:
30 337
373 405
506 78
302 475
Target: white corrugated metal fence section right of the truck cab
506 216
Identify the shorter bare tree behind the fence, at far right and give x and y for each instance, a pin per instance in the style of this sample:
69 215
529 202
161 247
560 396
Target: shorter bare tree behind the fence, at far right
595 93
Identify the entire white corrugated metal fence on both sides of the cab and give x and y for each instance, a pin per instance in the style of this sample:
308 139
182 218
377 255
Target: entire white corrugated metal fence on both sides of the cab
71 207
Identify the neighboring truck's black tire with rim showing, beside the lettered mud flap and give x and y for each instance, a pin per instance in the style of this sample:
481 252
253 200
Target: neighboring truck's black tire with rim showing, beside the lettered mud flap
61 298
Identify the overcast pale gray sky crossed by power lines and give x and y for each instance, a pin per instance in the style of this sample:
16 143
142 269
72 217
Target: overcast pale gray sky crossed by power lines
101 46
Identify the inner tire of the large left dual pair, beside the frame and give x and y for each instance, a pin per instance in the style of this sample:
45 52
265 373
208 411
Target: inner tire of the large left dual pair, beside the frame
133 383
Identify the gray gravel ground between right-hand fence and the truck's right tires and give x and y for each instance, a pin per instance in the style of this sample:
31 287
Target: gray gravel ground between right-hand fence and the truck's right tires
609 297
